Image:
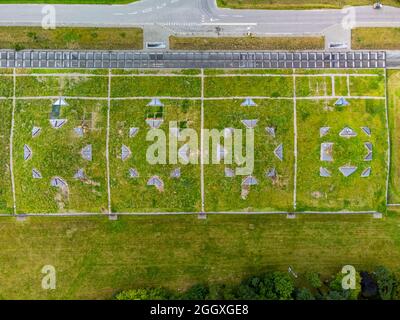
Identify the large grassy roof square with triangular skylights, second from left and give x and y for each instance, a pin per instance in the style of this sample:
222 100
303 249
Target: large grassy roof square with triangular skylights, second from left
133 194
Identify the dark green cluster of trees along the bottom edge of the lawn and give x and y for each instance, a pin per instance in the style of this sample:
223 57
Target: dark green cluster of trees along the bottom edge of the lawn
379 284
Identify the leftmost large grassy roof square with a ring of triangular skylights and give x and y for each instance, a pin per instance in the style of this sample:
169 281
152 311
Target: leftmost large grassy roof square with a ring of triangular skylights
56 152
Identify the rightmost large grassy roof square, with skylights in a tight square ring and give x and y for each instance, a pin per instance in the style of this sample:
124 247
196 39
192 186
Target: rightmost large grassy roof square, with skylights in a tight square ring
338 192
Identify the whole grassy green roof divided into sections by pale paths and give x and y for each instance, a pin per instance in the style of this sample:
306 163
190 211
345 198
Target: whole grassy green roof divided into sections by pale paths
56 152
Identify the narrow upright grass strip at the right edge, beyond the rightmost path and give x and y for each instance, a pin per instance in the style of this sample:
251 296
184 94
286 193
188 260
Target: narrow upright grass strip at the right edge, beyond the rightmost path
394 123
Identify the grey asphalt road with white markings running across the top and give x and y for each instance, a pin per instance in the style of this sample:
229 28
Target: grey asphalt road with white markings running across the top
197 16
